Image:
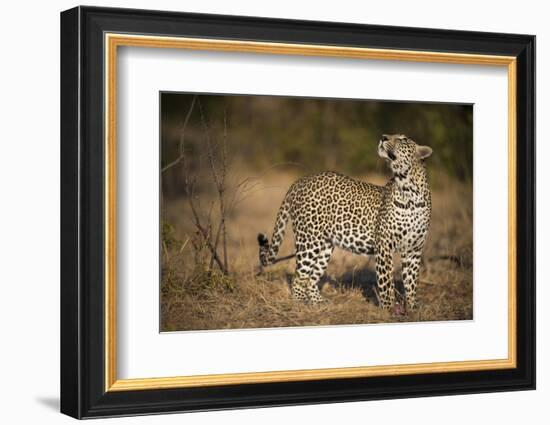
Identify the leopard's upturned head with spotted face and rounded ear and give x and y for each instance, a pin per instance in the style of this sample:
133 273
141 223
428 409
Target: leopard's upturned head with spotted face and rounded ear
401 153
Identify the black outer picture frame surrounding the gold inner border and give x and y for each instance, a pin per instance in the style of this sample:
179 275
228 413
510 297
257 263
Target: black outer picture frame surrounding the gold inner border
83 392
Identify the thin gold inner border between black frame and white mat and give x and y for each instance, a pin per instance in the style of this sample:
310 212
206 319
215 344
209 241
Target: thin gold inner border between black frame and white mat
111 43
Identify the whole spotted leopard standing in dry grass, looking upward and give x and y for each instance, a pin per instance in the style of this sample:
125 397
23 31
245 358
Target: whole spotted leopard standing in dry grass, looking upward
331 210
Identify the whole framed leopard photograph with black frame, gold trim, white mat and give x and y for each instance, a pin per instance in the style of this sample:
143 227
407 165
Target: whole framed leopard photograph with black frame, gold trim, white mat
261 212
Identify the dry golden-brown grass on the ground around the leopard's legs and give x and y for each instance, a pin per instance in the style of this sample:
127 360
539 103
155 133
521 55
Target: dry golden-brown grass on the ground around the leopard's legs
192 298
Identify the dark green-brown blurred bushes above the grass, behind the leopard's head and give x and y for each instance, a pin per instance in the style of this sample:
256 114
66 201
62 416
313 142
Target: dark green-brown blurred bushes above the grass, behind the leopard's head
317 134
